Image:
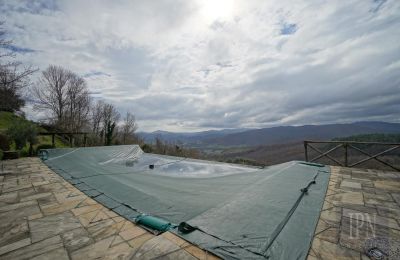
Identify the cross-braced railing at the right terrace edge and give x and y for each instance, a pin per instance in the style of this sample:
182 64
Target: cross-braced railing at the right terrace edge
347 145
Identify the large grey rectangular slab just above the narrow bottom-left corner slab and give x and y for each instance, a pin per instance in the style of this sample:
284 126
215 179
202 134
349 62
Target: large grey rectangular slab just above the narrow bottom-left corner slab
52 225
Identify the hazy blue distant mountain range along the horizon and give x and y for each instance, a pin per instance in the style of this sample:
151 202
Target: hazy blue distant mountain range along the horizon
273 135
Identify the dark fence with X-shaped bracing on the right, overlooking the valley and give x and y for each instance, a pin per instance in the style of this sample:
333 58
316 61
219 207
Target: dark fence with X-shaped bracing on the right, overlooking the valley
339 152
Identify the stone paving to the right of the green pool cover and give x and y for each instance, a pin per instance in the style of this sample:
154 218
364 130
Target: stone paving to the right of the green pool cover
361 211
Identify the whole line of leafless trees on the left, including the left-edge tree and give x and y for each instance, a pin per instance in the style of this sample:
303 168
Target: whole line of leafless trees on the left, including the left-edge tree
64 97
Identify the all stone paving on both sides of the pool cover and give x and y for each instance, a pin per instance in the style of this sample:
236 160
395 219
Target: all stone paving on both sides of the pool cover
44 217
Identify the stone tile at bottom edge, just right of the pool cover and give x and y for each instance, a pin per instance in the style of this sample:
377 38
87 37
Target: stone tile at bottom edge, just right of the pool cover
327 250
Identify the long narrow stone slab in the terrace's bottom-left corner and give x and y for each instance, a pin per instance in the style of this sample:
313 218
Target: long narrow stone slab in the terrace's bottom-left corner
32 250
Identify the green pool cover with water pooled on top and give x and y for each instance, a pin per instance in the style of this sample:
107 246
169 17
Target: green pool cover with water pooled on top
236 212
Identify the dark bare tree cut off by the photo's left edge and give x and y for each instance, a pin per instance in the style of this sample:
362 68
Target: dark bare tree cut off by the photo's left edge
13 76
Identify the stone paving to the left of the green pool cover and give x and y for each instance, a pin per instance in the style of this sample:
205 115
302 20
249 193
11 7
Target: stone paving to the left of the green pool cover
44 217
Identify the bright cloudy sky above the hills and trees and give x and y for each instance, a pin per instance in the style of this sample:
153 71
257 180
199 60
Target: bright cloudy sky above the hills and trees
211 64
